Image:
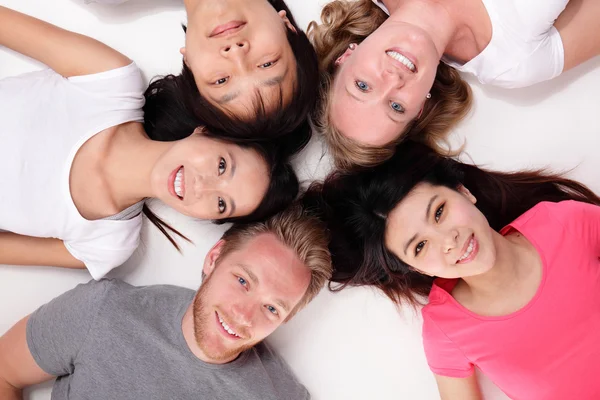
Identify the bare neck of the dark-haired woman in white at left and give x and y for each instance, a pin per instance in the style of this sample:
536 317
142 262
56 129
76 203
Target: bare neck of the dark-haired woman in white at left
128 164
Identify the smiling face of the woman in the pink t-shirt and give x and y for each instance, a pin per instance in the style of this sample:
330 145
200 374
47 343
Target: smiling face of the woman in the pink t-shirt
439 232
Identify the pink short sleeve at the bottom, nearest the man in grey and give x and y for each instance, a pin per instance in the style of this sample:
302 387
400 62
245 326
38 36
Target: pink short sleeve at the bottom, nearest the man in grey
443 356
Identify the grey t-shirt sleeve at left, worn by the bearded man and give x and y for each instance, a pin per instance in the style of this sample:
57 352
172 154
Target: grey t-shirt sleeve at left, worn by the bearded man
58 330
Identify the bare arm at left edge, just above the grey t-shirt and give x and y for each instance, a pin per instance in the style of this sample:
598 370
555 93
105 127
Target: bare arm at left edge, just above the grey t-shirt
27 250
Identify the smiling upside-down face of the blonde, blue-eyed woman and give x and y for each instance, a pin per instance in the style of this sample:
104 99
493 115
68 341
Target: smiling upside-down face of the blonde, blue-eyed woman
381 86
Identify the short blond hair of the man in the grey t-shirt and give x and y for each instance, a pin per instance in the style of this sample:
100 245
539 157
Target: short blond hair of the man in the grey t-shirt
305 234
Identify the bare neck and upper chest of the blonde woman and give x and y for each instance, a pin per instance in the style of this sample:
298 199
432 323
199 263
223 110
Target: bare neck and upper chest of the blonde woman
439 19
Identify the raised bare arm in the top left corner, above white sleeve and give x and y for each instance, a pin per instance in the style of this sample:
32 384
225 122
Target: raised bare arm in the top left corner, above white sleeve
68 53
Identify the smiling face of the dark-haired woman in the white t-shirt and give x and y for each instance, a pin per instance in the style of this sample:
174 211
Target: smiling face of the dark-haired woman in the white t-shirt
210 179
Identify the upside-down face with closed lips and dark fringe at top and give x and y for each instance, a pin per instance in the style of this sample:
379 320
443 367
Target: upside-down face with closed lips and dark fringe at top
237 50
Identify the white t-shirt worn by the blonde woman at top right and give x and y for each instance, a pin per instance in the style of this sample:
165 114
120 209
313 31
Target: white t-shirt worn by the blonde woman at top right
525 47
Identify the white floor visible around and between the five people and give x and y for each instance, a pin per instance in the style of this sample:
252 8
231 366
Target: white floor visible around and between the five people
352 345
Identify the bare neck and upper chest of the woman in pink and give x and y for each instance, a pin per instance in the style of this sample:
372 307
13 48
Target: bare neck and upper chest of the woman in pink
510 253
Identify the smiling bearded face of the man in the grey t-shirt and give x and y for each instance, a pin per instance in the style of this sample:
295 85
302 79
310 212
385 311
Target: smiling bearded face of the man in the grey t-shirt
246 295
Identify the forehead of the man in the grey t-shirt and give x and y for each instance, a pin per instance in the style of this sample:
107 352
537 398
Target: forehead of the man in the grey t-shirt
276 266
